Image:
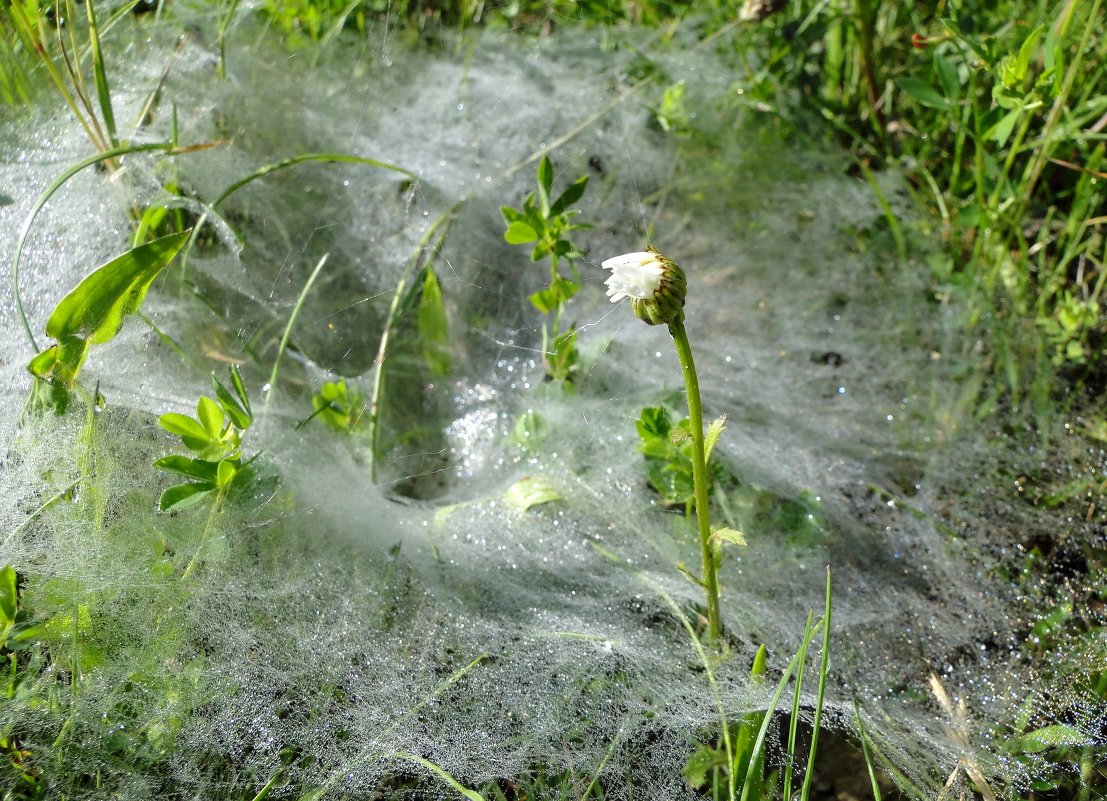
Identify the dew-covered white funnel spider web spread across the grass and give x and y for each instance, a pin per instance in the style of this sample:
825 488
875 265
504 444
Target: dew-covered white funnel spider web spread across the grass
346 629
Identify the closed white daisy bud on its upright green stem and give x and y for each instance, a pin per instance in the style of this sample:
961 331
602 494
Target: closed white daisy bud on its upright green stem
657 288
